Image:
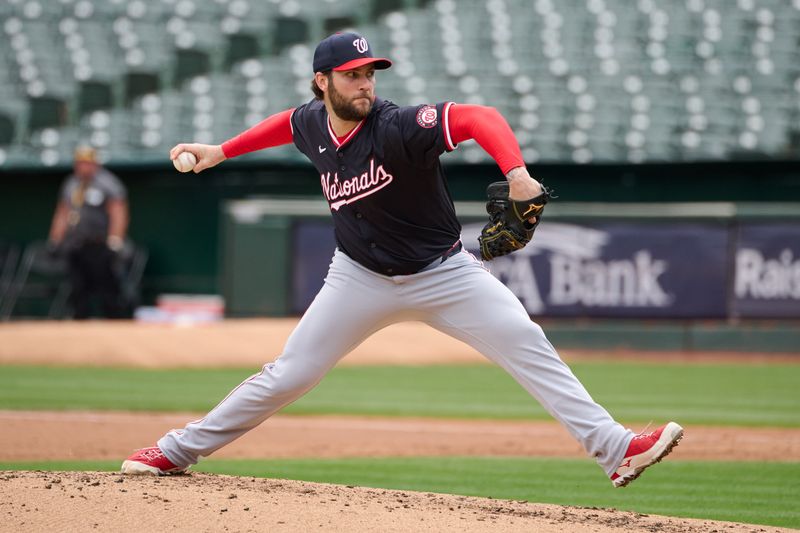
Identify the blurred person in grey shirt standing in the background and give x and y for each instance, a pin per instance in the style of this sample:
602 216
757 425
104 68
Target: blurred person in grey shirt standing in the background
88 228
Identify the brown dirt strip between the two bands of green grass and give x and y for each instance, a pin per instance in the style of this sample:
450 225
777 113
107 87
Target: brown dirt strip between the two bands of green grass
114 435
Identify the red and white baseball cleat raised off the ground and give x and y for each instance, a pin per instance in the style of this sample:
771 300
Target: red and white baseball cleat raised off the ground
646 449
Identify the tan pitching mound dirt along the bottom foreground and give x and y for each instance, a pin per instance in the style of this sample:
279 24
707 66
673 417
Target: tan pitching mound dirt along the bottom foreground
86 501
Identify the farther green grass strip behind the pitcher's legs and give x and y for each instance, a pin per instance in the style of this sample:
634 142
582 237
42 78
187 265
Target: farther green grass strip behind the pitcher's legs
716 394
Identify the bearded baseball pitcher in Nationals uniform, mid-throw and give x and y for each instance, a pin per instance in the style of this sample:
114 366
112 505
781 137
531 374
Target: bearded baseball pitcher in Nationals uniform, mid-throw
399 257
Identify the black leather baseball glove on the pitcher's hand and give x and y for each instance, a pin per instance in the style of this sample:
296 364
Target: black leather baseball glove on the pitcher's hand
508 229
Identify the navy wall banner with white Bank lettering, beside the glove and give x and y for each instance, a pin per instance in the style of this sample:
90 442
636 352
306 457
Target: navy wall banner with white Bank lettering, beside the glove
625 269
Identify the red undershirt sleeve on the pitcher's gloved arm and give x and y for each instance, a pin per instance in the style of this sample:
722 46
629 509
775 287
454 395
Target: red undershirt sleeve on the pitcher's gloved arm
489 129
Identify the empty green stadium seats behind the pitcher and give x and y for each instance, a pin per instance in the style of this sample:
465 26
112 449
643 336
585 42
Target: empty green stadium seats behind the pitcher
579 80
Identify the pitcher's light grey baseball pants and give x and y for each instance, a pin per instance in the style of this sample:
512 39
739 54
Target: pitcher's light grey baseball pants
458 297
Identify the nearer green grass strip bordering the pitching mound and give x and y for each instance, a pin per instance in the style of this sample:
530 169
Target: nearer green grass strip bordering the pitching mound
758 493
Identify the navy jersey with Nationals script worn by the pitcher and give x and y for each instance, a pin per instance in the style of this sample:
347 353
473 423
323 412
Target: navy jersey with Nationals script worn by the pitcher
392 210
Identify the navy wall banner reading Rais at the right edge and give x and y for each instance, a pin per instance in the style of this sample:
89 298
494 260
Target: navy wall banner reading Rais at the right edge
767 271
